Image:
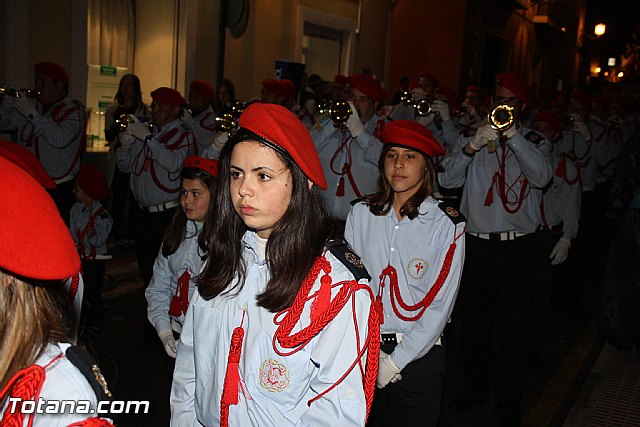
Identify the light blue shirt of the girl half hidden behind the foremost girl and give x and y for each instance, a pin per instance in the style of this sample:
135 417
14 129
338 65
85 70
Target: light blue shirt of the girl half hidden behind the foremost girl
167 271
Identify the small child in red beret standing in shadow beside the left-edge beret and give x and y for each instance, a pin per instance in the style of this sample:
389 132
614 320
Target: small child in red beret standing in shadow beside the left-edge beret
90 225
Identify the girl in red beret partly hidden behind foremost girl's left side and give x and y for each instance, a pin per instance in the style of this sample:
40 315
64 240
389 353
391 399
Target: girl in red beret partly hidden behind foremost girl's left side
182 253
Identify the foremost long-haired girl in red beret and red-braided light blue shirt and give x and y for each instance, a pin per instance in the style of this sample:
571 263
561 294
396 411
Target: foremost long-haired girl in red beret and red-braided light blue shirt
281 330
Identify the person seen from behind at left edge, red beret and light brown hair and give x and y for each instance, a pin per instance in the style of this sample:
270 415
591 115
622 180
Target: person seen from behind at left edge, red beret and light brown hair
39 368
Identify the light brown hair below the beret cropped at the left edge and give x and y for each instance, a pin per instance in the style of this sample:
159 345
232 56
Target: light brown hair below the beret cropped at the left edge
30 318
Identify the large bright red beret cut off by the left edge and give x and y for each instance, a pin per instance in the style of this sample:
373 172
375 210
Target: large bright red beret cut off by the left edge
36 243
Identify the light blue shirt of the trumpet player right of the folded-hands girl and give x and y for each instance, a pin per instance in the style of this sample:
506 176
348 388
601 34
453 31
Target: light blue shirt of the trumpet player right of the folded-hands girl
524 159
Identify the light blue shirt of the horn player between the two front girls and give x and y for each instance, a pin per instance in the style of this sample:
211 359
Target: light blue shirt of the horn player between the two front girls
364 152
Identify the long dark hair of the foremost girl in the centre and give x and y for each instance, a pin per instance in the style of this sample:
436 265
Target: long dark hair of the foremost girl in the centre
294 244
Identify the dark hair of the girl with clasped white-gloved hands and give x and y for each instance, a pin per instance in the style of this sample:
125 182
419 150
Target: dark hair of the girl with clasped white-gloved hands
382 201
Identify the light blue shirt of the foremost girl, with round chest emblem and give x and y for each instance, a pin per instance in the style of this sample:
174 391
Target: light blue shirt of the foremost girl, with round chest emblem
275 388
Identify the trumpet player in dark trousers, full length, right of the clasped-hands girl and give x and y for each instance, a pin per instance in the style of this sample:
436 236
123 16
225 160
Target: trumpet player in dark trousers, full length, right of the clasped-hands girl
501 201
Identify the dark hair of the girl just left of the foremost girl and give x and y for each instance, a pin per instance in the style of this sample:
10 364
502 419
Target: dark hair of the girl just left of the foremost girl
176 232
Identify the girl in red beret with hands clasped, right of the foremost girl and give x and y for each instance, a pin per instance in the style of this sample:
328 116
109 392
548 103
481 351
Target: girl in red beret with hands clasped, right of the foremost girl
413 245
